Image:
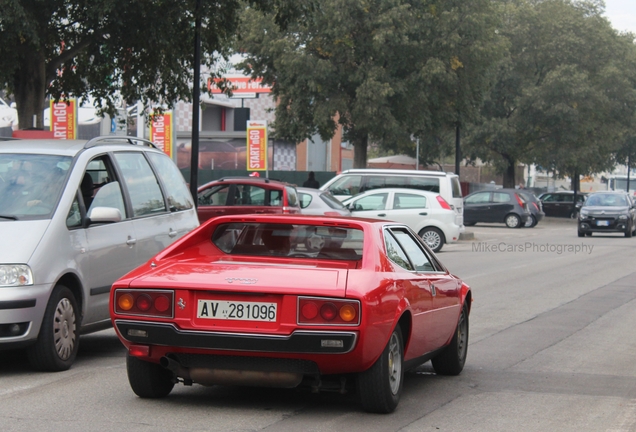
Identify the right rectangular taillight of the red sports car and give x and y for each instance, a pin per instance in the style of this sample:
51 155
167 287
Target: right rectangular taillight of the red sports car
326 311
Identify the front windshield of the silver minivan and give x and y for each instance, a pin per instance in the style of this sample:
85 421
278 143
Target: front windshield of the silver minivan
31 184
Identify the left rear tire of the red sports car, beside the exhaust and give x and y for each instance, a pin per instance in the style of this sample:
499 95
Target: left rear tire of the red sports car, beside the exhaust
148 380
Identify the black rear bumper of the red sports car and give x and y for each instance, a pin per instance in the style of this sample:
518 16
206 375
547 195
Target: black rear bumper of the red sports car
300 341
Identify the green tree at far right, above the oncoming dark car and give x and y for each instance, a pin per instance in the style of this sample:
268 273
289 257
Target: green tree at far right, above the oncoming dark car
564 92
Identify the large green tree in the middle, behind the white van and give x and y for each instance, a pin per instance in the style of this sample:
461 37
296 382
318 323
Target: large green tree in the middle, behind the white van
387 71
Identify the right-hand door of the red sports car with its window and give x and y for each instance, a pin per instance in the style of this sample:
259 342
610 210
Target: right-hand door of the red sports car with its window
411 274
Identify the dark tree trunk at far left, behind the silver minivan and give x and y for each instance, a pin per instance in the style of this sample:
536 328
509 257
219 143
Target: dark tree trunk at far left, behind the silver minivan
30 89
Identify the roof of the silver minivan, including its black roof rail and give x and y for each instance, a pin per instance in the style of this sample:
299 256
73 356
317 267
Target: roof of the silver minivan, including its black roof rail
70 147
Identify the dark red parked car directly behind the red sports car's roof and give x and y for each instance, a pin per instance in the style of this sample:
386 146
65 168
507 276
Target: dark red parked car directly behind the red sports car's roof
244 195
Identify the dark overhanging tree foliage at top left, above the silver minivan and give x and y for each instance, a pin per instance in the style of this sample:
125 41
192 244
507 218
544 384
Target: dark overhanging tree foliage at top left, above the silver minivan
110 49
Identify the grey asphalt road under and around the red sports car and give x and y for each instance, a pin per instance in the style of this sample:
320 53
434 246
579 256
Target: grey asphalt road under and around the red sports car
552 348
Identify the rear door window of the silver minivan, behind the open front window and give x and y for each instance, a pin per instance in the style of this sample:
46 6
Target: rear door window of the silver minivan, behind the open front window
145 193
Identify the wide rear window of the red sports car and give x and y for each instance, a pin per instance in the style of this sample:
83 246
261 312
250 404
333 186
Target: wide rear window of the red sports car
287 240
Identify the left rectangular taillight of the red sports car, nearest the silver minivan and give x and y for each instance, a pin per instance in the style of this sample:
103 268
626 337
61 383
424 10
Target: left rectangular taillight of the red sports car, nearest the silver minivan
156 303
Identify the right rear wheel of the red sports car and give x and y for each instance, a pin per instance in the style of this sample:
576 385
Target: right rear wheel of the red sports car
381 385
